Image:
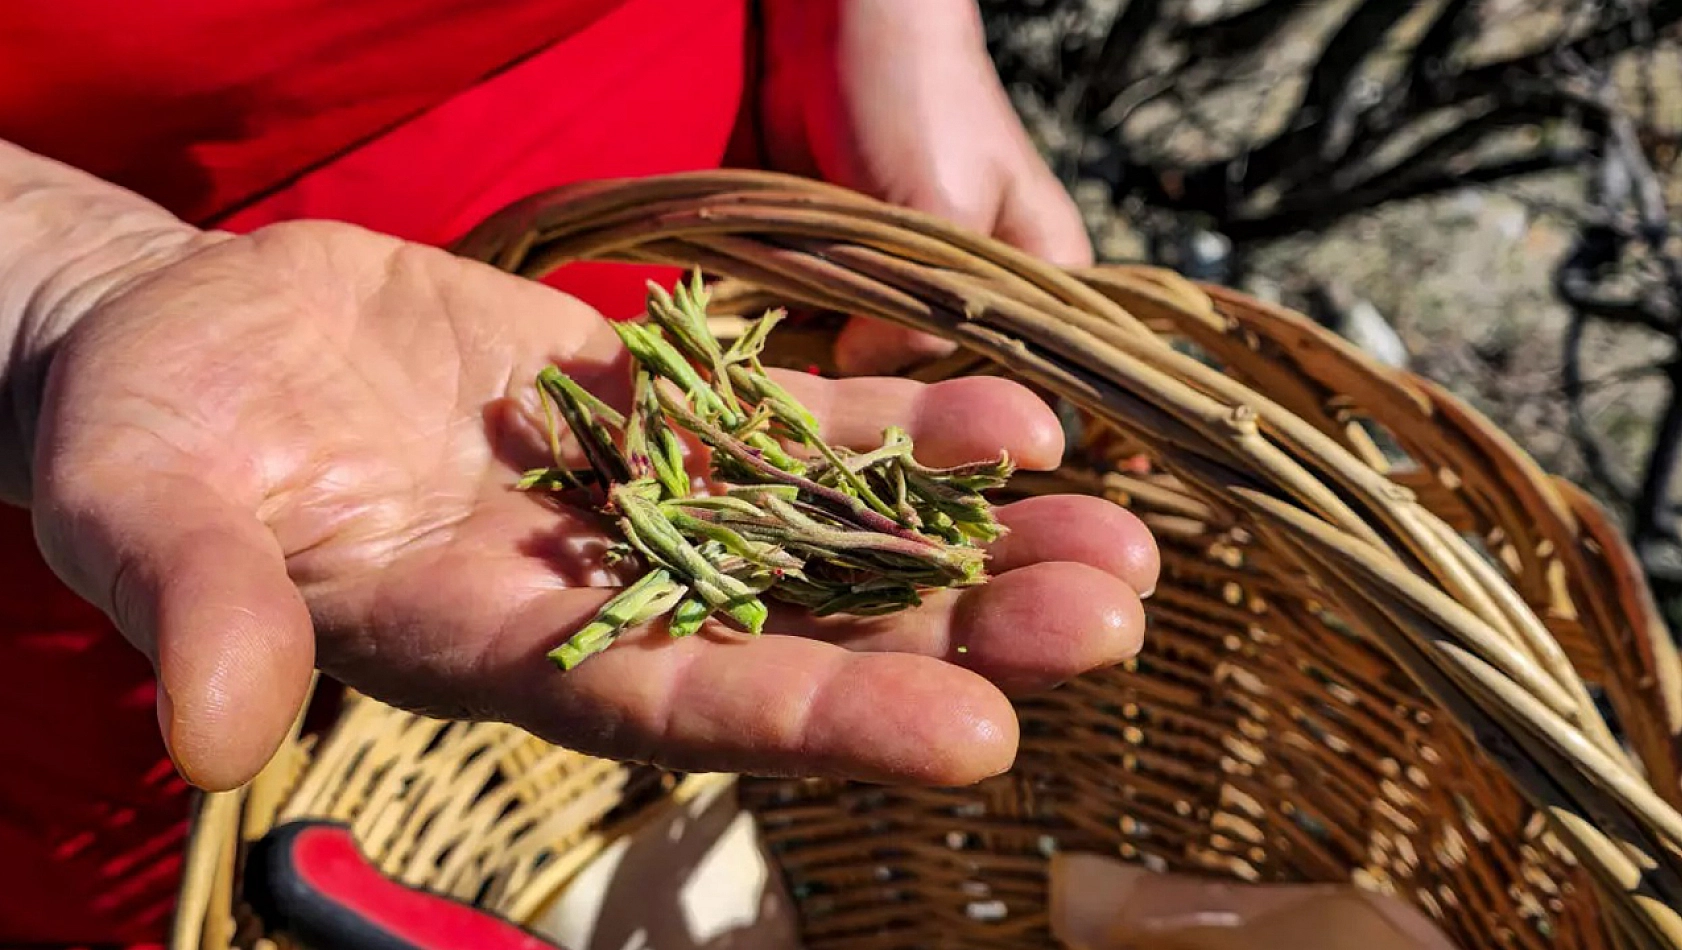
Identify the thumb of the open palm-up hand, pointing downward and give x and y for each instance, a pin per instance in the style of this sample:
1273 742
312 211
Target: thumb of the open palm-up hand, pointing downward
201 588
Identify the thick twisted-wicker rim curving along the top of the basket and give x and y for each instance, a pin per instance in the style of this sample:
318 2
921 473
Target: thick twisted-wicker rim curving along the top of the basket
1086 335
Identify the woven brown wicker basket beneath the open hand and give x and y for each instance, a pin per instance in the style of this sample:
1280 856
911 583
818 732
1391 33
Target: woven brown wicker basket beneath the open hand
1387 648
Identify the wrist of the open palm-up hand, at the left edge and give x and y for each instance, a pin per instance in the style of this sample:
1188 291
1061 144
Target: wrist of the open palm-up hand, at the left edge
68 241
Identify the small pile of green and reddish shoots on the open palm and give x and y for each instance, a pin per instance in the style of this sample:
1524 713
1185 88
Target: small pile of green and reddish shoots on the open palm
783 517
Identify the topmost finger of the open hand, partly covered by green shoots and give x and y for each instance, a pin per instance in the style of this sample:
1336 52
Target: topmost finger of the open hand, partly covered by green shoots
953 423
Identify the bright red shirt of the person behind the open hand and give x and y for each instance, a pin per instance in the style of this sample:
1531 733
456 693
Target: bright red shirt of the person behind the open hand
410 117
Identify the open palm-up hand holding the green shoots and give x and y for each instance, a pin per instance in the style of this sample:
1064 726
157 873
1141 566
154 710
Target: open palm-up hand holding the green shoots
299 448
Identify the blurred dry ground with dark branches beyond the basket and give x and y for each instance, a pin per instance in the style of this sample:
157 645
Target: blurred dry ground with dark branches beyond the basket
1486 193
